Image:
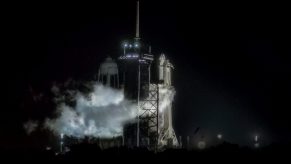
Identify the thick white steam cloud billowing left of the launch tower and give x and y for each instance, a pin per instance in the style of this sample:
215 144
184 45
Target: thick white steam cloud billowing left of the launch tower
101 114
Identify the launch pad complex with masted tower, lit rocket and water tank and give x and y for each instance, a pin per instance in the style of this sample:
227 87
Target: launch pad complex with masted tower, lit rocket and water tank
142 77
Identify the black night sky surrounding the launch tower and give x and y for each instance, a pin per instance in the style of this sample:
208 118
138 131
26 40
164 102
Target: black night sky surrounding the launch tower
232 61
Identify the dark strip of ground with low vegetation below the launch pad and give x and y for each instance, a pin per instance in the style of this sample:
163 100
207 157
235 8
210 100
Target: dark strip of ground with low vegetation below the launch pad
223 152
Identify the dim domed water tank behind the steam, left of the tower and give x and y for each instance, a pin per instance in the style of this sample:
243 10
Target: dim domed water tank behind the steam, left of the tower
108 73
